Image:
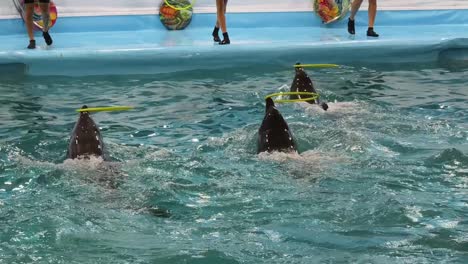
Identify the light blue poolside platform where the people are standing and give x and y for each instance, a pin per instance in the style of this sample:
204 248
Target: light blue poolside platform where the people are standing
140 44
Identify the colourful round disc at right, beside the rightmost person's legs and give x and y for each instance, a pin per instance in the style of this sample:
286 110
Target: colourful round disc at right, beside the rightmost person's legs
331 10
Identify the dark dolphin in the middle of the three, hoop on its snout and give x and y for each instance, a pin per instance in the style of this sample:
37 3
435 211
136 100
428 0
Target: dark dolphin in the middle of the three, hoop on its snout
274 133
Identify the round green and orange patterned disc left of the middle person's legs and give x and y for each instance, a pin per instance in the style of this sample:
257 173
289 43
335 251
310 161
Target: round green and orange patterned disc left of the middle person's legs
176 14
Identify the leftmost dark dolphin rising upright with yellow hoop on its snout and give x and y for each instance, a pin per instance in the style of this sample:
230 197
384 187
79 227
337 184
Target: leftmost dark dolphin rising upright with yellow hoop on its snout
85 139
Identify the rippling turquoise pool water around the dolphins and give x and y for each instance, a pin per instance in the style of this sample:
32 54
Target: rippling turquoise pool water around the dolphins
382 176
